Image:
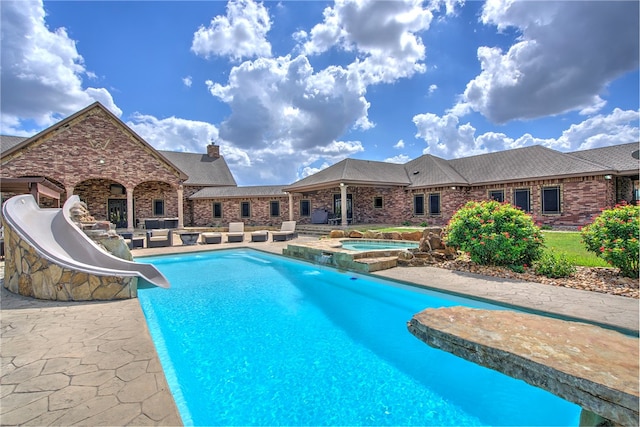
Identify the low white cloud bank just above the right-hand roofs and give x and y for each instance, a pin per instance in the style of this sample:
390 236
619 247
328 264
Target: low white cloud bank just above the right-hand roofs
446 137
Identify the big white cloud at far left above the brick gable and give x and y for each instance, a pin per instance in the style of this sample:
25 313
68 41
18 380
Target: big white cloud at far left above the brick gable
42 71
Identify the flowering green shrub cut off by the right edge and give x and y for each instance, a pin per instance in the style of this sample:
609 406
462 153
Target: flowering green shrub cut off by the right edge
614 236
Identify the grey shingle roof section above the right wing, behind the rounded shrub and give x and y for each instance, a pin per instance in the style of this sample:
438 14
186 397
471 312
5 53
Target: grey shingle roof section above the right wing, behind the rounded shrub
520 164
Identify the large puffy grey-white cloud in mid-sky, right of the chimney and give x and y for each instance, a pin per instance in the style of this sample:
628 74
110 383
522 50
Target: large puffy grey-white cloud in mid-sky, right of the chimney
282 102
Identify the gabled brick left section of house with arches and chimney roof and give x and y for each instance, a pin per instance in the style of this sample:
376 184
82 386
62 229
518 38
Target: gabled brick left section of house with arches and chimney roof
94 155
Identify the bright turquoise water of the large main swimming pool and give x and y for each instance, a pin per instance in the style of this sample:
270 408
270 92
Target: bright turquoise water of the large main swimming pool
249 338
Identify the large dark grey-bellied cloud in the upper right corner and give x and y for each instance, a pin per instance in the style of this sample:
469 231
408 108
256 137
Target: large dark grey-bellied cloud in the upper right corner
566 55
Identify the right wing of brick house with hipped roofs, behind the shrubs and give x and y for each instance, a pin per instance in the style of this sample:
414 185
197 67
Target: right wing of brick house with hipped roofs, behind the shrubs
558 189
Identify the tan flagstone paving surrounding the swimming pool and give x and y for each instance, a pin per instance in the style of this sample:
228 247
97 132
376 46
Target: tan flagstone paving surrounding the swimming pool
93 363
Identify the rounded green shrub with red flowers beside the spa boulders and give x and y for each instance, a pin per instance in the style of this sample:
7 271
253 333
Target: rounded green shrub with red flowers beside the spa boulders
495 233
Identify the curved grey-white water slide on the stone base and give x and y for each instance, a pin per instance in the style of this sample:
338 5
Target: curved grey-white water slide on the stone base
58 239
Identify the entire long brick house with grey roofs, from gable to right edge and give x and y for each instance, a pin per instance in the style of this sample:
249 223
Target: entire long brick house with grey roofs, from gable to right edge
122 178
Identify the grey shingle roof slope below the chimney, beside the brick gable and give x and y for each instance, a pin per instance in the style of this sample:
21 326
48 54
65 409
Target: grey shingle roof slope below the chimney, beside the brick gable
201 169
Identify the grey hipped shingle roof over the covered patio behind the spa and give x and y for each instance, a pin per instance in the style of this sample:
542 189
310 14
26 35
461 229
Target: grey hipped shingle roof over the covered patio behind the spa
354 171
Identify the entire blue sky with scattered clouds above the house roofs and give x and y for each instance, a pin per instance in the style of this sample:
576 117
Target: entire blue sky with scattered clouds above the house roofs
288 88
